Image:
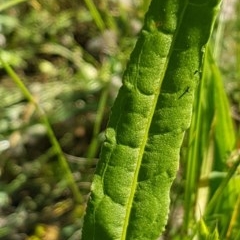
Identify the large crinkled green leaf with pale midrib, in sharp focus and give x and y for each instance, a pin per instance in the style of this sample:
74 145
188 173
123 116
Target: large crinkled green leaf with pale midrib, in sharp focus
139 158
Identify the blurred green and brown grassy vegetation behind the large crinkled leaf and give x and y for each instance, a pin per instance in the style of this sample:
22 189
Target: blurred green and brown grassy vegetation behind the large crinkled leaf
71 58
